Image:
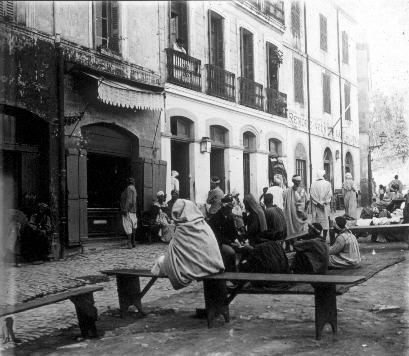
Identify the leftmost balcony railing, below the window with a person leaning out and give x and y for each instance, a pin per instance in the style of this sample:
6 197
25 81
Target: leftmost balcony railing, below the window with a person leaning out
183 70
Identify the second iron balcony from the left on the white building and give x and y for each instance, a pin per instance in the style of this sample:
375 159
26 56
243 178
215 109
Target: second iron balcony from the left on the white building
220 83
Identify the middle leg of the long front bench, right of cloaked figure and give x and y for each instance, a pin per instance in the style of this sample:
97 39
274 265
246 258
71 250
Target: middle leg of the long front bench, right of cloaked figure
216 303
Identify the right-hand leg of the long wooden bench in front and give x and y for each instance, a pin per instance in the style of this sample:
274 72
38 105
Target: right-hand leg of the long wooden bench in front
325 308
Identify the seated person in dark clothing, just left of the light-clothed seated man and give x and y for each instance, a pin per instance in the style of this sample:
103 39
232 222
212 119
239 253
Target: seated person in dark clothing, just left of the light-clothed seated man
311 254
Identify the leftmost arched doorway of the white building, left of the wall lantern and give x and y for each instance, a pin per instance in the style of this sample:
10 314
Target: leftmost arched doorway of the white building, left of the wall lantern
182 135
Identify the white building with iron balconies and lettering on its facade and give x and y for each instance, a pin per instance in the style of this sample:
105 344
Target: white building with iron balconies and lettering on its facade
259 79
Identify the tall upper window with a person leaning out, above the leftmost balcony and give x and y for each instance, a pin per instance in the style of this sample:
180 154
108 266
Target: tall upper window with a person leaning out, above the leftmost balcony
178 23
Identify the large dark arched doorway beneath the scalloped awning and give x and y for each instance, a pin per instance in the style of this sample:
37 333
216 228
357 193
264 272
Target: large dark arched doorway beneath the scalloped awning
111 152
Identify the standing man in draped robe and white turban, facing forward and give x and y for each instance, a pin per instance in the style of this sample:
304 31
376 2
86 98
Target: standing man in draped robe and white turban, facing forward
294 201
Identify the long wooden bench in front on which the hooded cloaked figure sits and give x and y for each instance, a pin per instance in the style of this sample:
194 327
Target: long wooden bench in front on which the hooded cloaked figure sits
218 297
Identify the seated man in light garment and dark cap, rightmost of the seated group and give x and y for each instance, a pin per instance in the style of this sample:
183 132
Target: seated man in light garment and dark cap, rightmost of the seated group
344 253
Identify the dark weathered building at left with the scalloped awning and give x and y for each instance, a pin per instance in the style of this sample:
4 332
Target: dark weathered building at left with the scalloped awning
81 101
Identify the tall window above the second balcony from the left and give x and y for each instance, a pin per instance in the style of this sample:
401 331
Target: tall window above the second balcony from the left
216 48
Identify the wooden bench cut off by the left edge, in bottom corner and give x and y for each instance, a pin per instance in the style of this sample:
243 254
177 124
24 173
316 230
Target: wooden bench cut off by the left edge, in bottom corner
83 299
